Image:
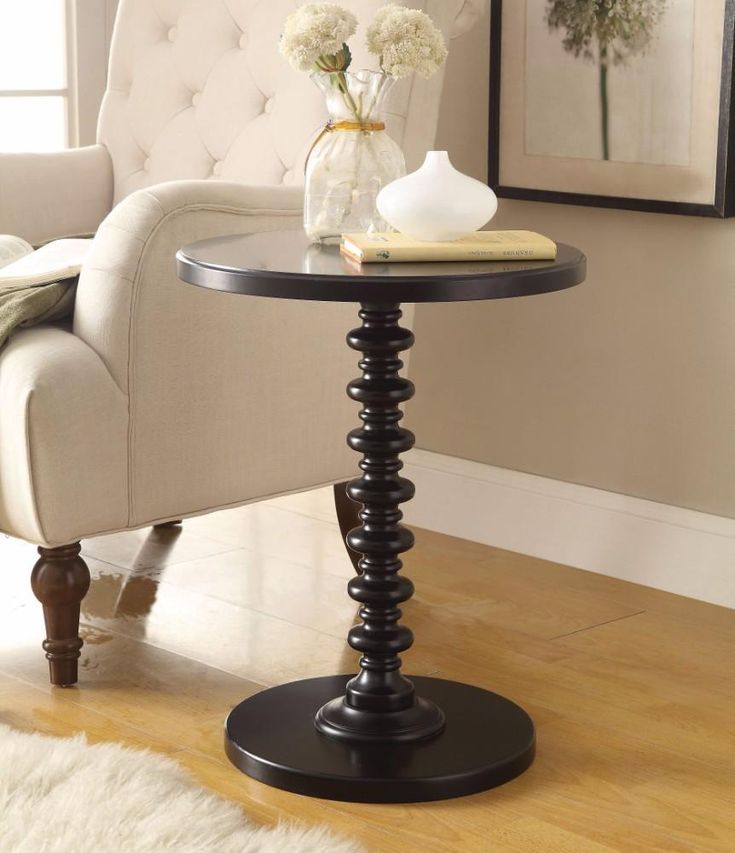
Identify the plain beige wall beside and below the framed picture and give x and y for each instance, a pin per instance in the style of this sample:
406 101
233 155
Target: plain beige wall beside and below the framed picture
626 383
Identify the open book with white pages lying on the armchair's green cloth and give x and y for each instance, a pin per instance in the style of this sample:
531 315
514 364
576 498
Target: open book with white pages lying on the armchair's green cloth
23 266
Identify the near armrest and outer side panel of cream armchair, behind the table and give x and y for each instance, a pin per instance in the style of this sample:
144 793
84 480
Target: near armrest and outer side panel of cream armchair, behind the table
232 398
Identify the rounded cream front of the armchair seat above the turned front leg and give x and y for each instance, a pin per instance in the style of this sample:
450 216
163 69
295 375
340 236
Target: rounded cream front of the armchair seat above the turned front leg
64 429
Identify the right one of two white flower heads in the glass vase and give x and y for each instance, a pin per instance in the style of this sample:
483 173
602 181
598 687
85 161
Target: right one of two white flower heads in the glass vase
406 40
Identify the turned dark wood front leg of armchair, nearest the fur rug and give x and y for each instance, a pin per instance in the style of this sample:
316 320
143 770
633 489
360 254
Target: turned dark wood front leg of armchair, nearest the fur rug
60 581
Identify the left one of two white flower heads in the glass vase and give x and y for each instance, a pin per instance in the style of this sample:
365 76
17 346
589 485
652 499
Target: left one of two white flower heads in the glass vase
318 31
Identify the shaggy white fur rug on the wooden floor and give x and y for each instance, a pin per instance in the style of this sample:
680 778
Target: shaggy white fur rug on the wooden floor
65 796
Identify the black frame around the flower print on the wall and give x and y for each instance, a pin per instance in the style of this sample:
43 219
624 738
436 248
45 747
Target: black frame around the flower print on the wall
724 195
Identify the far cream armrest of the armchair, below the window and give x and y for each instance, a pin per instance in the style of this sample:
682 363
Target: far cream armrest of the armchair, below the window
47 196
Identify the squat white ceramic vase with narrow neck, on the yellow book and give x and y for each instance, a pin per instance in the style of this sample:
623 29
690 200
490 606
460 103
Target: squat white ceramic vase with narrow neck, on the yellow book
437 202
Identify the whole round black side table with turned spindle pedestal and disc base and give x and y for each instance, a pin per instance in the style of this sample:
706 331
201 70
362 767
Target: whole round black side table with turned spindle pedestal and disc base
377 736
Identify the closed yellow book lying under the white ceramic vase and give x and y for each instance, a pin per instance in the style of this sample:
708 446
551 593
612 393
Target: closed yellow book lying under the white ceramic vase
480 246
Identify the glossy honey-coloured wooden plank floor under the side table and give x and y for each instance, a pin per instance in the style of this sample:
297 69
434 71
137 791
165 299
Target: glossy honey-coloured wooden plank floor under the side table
632 690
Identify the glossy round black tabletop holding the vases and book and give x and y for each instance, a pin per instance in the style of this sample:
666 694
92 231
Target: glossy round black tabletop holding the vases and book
283 264
